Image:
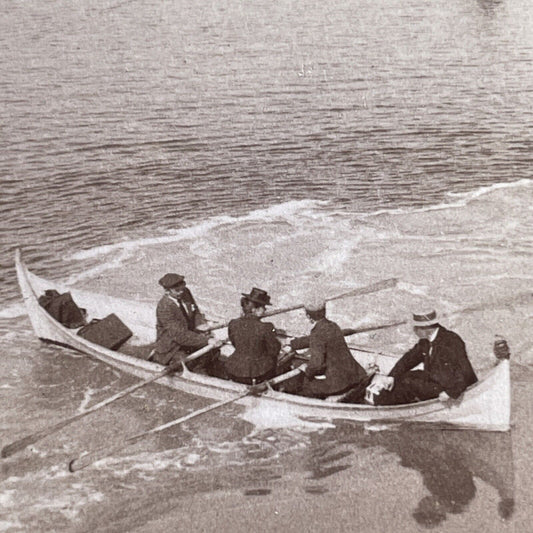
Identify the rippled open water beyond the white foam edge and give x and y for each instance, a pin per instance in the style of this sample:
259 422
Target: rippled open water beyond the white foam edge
123 119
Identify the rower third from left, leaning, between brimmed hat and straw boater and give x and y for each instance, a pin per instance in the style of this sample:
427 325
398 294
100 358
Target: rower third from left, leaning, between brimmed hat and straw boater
331 369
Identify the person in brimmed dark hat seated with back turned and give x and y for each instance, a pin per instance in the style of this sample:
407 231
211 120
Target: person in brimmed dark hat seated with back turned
256 345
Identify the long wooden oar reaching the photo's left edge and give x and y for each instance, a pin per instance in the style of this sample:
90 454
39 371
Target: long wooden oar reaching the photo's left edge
20 444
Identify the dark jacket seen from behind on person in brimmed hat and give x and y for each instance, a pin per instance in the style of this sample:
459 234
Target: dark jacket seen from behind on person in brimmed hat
256 347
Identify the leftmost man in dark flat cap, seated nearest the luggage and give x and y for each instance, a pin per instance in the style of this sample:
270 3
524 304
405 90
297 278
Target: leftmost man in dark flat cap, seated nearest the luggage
178 318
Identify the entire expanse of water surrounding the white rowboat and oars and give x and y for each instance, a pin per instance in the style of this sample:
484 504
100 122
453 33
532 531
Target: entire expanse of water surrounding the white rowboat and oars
297 146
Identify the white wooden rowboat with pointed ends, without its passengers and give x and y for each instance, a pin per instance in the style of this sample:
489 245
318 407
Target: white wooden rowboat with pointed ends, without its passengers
486 405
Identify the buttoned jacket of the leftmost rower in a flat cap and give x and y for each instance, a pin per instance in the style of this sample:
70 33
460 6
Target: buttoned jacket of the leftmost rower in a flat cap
175 326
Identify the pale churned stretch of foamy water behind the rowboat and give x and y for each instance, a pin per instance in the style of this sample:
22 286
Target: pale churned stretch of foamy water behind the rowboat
453 257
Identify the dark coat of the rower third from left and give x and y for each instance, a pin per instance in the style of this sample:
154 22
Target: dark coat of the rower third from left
330 356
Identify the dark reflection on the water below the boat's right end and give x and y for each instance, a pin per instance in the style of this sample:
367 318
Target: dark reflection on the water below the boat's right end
448 461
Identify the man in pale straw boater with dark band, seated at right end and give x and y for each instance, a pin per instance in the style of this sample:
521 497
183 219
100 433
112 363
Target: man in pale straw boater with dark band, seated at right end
446 374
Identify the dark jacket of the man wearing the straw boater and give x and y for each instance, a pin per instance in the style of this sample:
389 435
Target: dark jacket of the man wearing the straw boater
447 365
